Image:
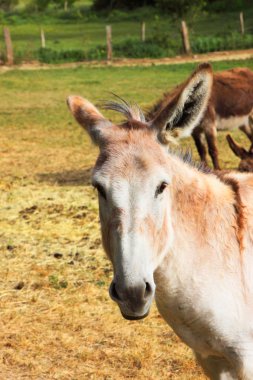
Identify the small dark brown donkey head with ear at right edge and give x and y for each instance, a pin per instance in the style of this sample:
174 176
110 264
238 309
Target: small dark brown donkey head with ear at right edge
246 163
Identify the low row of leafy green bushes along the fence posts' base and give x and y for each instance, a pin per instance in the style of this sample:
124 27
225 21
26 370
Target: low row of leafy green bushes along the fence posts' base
157 46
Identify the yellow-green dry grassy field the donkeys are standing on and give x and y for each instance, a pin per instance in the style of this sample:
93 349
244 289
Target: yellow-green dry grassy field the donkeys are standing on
57 321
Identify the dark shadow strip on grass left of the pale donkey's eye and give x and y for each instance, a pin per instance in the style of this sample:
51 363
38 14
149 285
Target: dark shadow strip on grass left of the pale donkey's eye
67 177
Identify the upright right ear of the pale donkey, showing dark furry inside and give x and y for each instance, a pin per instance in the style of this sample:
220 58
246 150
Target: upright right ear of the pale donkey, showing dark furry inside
186 109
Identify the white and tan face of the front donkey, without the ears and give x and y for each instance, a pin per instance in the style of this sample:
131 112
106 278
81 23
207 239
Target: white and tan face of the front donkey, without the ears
133 185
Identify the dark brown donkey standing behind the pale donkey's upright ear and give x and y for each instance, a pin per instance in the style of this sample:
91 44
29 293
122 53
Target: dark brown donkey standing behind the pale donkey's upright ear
229 107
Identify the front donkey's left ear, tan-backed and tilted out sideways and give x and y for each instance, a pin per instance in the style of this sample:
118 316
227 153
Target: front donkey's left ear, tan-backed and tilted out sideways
88 116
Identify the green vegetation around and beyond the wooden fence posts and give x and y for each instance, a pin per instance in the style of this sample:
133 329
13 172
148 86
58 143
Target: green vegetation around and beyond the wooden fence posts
75 30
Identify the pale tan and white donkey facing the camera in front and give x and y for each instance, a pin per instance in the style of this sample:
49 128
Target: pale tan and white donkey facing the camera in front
175 233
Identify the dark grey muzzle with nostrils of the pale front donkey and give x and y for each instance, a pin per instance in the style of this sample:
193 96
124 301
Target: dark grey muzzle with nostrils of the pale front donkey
134 301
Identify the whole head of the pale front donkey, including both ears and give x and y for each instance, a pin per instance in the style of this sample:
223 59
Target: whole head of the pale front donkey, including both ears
133 177
